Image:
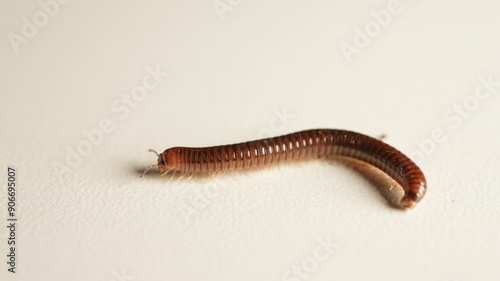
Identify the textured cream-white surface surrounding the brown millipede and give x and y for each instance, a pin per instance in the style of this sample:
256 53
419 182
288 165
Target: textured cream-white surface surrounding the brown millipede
228 78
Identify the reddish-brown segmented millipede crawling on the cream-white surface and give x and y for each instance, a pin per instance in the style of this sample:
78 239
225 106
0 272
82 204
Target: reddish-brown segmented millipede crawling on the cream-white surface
309 144
